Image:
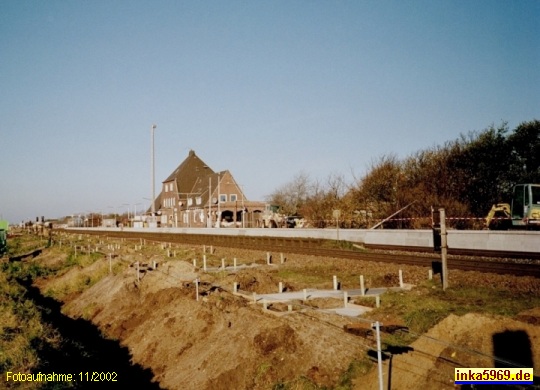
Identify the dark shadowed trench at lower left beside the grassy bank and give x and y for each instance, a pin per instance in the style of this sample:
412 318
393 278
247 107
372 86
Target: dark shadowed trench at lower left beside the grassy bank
83 351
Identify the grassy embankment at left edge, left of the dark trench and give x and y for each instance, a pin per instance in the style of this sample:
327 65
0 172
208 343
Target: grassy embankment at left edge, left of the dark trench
23 333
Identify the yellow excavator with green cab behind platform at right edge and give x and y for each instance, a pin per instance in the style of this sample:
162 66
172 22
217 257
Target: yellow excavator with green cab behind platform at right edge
523 212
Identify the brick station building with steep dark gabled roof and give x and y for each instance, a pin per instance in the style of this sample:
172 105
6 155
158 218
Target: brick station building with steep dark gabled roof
195 196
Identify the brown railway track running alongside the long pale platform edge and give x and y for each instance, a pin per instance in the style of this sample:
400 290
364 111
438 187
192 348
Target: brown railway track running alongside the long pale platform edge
320 247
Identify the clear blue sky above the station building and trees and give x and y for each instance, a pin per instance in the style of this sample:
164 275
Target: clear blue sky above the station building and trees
266 89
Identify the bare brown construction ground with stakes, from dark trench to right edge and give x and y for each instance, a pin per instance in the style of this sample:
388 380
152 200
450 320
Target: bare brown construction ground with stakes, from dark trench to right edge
219 339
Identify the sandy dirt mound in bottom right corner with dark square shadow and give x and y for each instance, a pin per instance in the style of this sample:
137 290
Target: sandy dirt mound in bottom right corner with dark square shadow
471 340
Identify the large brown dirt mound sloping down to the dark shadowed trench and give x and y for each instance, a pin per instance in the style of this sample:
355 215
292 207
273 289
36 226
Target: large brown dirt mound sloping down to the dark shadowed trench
221 341
